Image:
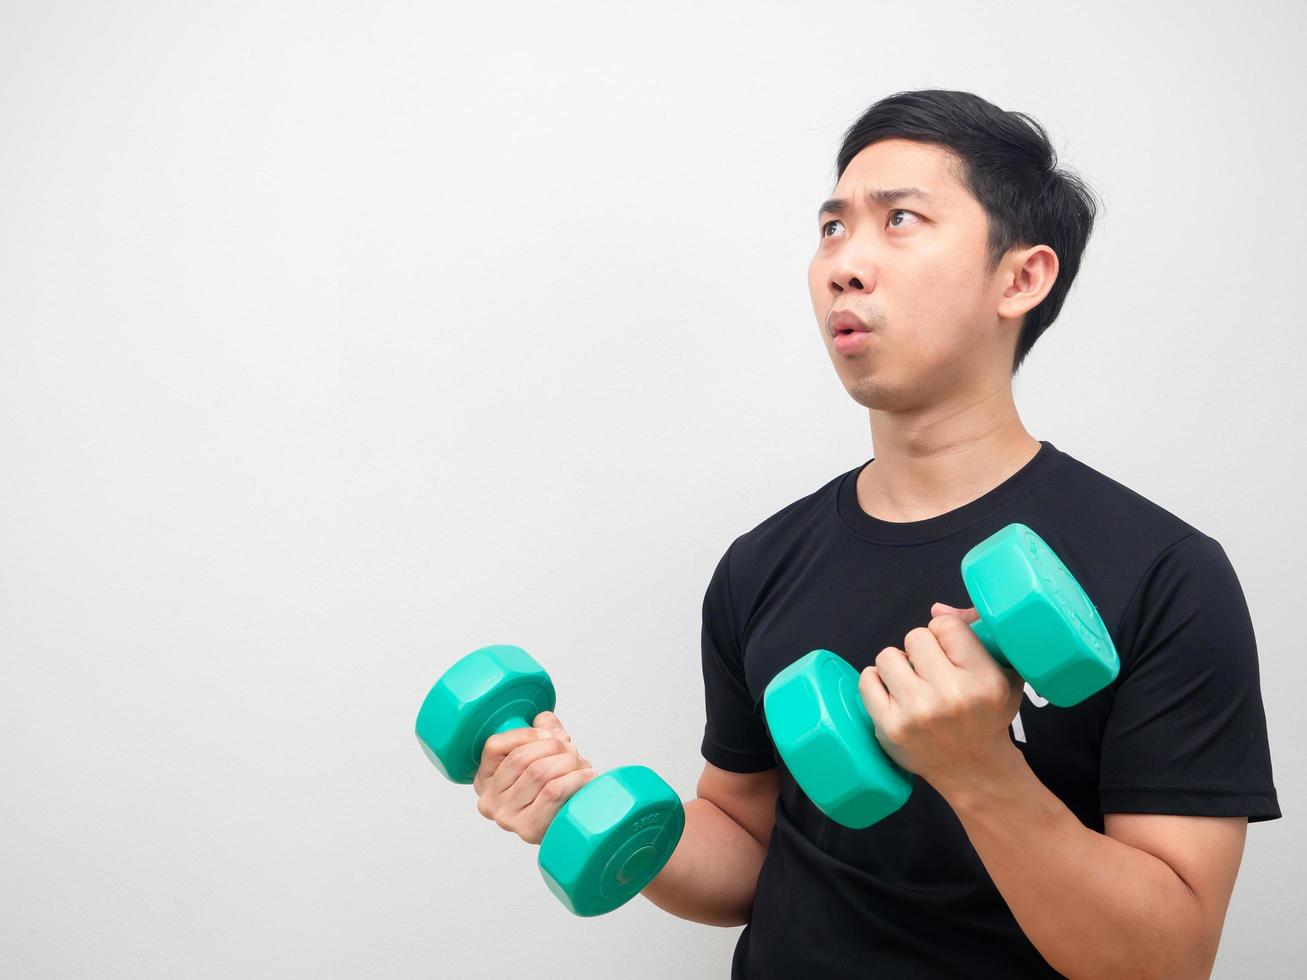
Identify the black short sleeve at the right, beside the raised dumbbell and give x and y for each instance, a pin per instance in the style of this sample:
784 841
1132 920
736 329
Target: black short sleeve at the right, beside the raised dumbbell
1187 730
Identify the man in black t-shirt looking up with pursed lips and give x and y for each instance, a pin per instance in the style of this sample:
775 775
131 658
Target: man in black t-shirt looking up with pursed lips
1100 841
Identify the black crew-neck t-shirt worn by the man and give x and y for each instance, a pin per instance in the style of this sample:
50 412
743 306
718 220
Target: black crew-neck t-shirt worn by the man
1181 731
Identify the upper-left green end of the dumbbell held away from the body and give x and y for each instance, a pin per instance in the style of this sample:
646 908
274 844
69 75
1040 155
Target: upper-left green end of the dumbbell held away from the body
491 691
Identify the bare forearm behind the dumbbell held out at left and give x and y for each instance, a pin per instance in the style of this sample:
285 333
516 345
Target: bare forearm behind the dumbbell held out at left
714 871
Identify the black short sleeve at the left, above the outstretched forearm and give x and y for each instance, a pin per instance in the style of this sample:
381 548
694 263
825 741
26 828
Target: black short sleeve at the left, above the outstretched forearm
735 736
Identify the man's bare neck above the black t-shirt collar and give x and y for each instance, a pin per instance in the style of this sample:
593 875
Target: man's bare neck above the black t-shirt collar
933 461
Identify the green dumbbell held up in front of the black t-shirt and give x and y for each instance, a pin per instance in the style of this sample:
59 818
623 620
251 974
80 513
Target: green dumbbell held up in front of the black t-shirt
1034 619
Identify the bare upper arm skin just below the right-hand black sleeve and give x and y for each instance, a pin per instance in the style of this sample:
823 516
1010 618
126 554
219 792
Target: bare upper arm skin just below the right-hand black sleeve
1203 851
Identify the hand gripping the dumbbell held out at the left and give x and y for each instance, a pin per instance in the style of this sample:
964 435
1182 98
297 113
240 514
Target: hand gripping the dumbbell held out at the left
527 774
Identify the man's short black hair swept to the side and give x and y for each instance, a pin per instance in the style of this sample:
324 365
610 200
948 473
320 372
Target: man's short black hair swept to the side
1010 167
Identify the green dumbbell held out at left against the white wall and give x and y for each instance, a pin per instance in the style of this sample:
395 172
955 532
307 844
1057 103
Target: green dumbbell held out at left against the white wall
611 838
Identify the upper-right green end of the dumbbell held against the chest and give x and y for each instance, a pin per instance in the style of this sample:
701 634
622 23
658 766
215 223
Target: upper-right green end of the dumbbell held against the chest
1036 617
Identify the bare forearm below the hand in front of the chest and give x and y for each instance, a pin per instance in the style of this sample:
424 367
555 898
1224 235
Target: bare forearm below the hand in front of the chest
1091 905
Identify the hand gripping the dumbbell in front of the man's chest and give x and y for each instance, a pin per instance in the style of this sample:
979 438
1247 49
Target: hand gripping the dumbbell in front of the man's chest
942 706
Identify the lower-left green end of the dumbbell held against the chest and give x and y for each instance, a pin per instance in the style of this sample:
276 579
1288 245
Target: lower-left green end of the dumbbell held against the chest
828 742
